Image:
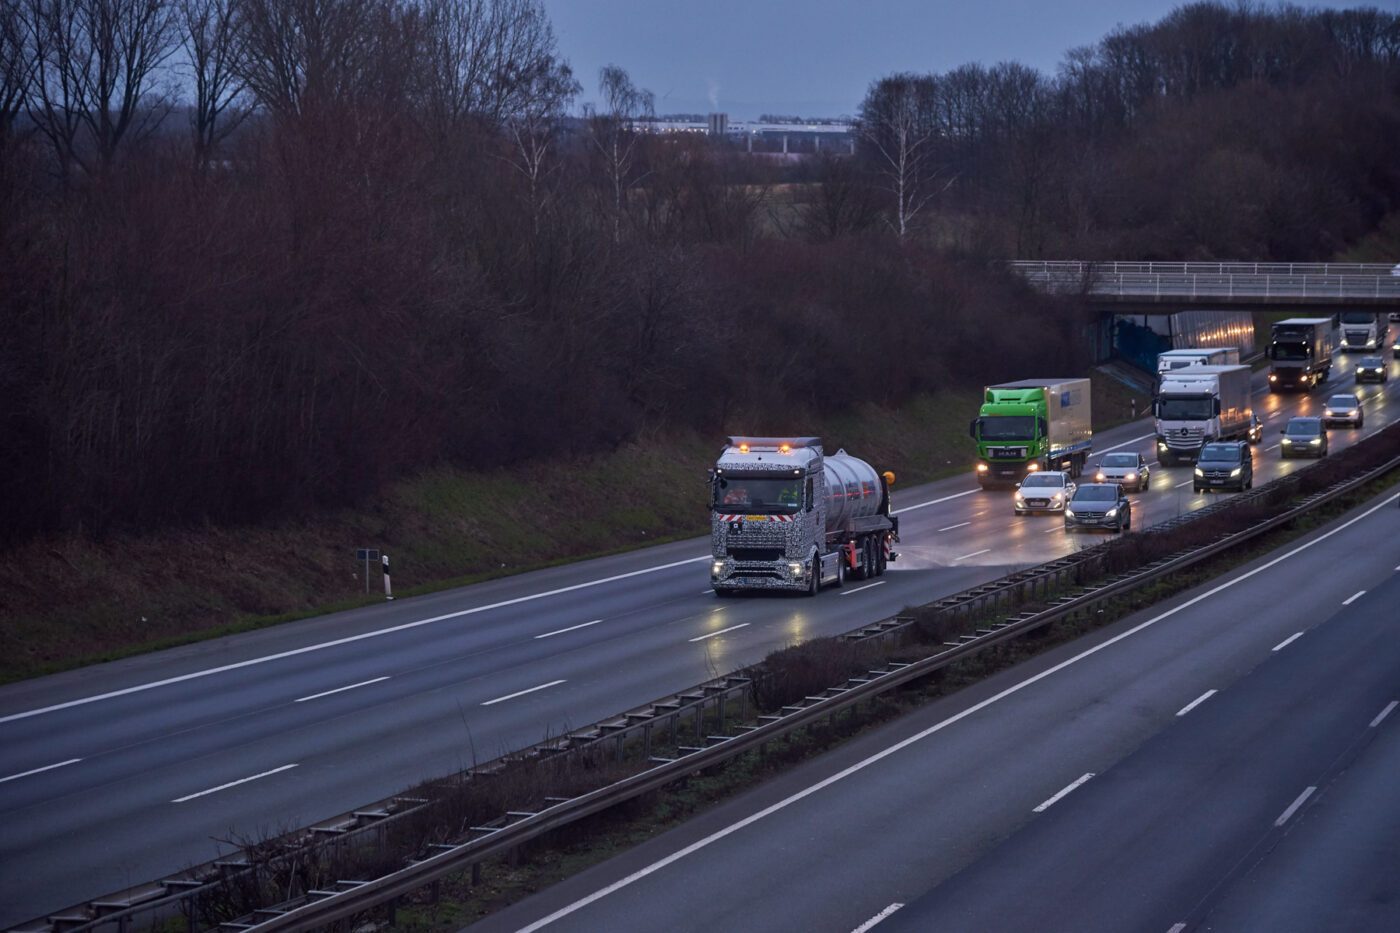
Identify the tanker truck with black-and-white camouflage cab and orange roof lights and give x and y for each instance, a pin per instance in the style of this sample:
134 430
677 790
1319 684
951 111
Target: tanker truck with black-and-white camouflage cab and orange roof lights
786 516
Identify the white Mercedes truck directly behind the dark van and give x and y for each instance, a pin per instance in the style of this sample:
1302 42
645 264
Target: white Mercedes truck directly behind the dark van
1199 406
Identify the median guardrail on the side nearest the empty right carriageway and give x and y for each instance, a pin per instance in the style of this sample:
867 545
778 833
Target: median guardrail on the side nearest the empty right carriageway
338 907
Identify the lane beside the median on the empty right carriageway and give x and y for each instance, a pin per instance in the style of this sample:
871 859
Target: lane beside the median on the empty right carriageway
936 805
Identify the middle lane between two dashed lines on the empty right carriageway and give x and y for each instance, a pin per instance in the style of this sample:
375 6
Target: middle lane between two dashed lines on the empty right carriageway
1158 834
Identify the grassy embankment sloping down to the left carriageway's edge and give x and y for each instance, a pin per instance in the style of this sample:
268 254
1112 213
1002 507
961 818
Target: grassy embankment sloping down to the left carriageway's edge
72 602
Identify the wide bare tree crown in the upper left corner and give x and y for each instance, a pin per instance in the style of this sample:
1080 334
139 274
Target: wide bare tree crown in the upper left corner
94 74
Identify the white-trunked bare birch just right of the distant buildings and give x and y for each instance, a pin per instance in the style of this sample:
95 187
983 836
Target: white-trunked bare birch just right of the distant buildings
898 125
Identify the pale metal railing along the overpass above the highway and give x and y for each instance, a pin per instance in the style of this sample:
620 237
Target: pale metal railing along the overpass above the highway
1227 282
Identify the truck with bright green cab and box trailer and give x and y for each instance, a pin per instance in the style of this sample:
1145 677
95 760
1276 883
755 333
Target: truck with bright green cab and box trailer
1032 425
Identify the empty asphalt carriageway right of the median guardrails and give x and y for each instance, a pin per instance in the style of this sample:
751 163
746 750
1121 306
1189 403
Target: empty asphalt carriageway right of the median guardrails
1224 761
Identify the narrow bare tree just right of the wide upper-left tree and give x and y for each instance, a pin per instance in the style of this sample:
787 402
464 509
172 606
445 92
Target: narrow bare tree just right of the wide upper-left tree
215 43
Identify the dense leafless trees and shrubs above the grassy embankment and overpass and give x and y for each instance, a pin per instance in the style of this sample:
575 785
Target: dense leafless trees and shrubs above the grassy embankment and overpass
267 256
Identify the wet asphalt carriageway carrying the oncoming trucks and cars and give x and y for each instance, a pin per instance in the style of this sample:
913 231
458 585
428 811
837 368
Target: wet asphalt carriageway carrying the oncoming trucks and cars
118 774
